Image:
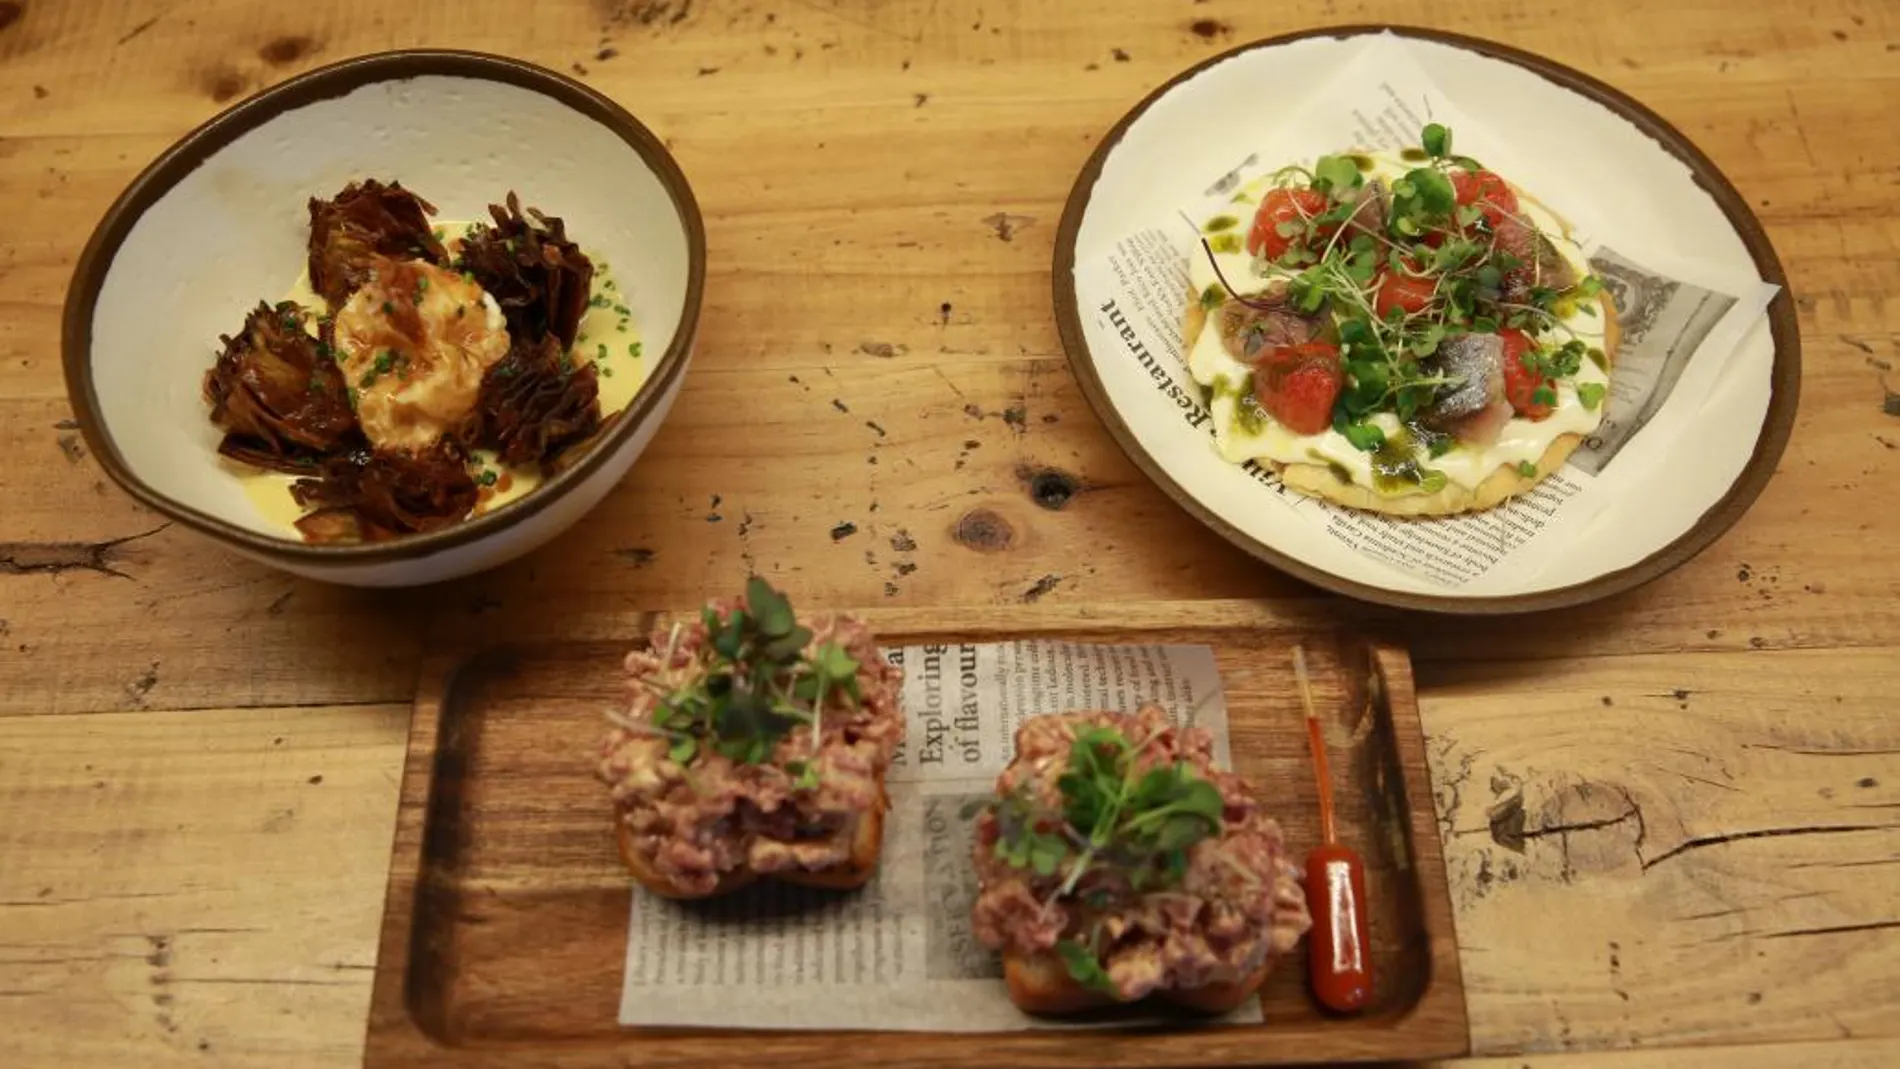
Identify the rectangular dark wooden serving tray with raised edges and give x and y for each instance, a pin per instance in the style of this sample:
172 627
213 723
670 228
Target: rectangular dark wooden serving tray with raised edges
506 920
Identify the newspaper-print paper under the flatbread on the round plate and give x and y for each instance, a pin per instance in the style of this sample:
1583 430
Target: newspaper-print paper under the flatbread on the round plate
1380 102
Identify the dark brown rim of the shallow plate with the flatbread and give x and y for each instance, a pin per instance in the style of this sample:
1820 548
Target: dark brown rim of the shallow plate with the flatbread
1785 383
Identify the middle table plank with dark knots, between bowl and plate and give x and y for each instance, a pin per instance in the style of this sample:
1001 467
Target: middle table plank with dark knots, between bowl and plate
991 516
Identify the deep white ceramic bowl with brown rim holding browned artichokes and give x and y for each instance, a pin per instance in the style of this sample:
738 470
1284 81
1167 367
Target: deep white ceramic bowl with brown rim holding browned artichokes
219 223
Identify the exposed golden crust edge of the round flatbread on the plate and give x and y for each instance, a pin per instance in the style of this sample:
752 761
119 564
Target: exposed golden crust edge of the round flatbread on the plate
1500 487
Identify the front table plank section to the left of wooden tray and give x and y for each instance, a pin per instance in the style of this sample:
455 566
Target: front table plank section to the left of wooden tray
197 888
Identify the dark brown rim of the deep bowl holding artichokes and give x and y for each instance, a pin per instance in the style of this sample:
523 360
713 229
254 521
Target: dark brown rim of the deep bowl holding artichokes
322 84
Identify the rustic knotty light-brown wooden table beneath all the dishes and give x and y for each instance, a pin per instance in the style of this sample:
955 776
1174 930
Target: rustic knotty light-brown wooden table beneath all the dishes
1673 819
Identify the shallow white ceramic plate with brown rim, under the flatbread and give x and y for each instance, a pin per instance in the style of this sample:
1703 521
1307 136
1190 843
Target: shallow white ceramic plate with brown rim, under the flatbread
1639 183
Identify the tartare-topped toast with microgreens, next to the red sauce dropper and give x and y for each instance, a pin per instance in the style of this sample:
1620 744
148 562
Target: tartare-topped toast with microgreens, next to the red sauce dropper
1118 865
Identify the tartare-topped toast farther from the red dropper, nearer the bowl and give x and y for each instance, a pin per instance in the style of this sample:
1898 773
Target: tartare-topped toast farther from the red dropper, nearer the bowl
753 745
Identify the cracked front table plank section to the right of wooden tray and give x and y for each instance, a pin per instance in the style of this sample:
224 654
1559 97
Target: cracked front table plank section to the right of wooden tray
1643 793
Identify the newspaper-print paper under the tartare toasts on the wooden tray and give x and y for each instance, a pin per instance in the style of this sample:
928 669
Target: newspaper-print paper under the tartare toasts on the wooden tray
900 954
